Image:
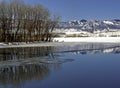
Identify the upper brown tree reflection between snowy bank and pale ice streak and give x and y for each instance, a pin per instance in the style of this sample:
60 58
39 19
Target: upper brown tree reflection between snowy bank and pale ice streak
24 53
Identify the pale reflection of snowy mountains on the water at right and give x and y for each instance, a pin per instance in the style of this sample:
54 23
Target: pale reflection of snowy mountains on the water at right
91 48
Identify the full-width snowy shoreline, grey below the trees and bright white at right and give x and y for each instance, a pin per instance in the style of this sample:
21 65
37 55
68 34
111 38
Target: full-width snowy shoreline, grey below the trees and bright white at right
64 42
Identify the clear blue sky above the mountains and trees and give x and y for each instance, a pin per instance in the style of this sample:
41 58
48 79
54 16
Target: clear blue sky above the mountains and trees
82 9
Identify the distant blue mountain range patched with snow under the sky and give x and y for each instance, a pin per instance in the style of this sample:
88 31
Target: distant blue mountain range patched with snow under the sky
90 26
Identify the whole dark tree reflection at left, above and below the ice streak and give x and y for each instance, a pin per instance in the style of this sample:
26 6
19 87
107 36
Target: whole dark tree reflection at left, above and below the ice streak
14 74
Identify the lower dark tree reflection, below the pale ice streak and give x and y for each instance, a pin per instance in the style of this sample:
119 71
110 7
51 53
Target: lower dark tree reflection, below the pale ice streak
18 75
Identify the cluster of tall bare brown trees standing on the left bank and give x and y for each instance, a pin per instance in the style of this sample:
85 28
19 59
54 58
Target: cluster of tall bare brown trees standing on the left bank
20 22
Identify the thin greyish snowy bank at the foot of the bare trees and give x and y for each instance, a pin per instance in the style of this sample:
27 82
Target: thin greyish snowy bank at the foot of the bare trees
39 44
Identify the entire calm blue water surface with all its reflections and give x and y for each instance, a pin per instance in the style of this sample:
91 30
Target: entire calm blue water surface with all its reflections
74 66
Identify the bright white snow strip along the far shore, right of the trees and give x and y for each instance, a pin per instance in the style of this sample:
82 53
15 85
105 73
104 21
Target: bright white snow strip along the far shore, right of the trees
89 39
